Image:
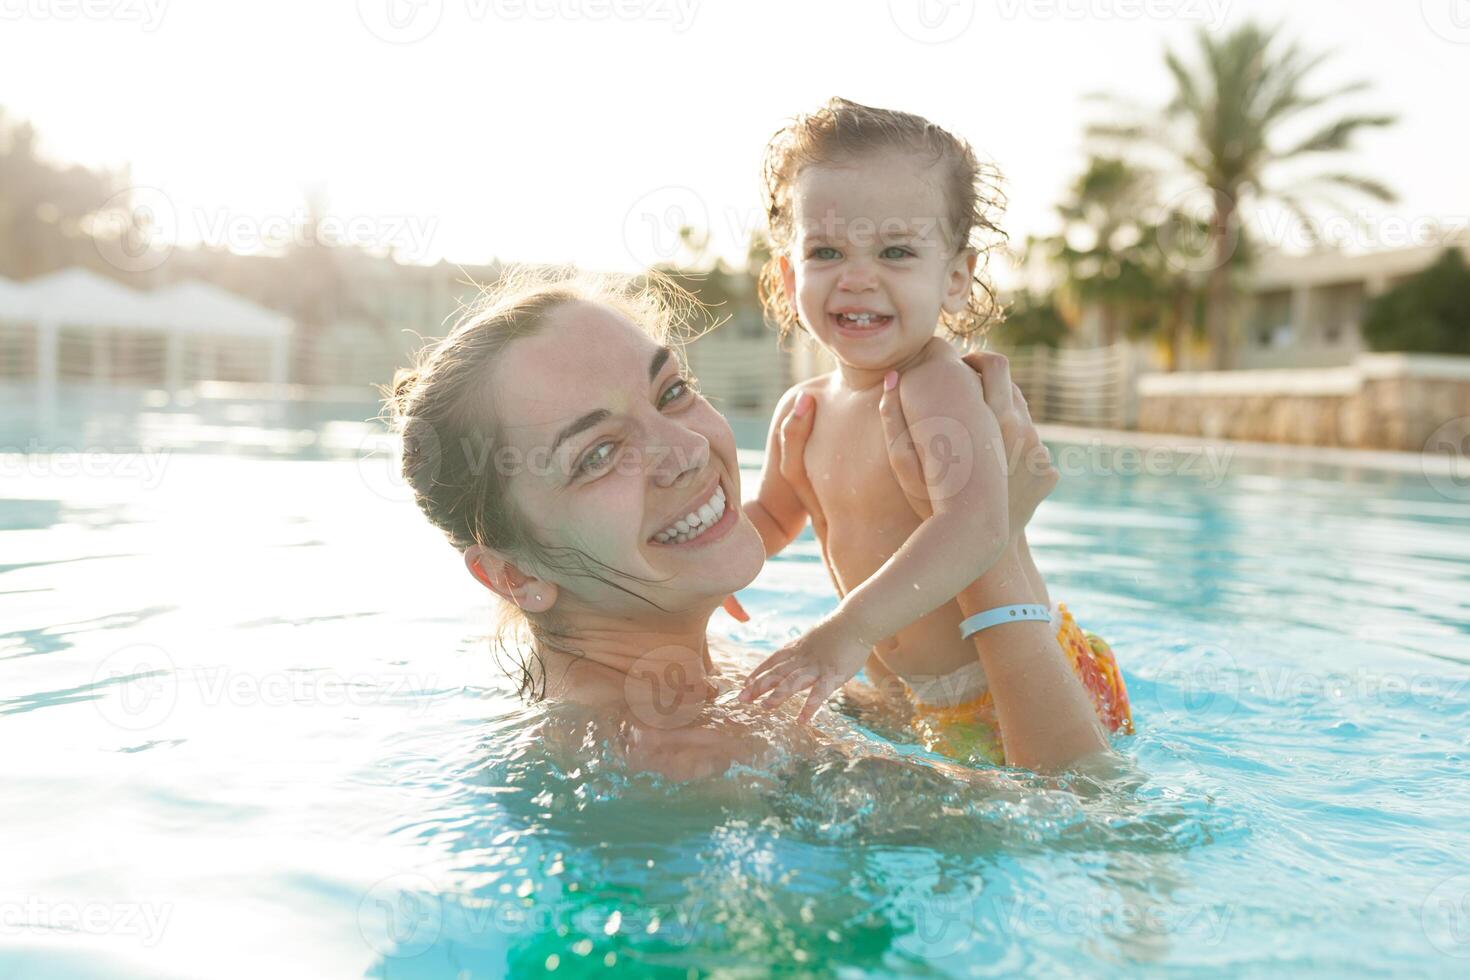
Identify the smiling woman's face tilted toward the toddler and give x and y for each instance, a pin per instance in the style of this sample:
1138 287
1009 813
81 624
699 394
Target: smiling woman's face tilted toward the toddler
608 450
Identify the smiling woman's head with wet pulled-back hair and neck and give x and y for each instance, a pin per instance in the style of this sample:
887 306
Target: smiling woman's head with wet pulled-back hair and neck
561 468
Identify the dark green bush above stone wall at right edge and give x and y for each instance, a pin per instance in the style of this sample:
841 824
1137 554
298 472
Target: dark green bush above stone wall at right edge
1427 314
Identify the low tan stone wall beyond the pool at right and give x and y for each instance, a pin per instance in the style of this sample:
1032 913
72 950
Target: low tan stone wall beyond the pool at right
1381 402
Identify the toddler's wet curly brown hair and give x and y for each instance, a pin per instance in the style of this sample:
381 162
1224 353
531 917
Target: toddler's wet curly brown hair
845 131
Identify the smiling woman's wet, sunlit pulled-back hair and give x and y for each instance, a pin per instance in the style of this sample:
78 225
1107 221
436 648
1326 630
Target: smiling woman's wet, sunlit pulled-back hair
442 408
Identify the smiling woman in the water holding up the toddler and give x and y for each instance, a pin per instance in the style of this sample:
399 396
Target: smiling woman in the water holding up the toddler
556 442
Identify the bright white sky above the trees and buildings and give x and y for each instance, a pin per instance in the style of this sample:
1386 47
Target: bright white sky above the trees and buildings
537 130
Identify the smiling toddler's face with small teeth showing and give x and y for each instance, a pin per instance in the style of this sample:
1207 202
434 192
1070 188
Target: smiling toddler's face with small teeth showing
872 262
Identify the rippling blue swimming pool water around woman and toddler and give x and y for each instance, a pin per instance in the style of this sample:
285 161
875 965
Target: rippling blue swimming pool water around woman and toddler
251 732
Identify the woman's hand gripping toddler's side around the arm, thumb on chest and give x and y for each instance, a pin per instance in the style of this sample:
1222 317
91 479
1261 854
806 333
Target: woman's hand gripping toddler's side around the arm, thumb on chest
1031 477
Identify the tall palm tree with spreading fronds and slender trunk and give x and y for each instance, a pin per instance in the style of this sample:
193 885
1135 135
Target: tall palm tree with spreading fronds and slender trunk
1225 130
